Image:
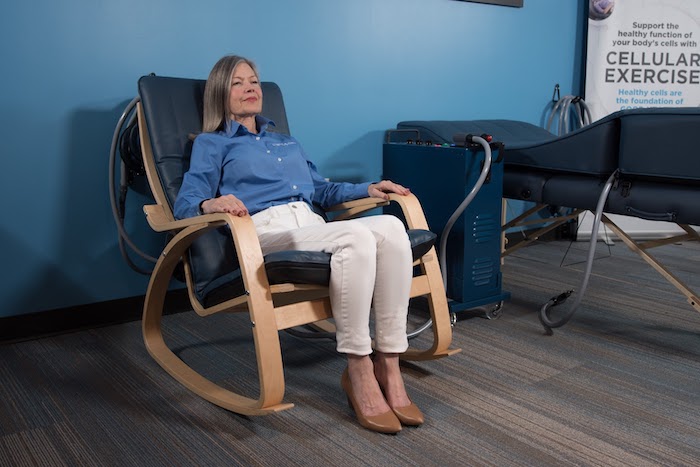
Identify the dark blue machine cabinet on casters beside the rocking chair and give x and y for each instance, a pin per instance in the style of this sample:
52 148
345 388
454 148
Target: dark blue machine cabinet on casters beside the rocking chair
460 187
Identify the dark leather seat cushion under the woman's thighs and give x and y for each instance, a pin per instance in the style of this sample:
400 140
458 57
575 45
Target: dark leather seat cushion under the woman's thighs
306 267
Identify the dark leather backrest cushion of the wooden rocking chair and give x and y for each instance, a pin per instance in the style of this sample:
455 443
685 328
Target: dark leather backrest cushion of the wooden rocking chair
173 111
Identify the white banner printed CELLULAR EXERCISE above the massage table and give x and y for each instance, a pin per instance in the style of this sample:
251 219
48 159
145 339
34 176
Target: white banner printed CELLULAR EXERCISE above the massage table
642 53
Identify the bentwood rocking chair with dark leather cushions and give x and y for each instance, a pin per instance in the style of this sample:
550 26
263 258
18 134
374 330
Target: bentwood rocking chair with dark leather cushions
225 269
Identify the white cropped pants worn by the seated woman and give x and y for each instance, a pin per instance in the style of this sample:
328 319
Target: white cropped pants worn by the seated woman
371 268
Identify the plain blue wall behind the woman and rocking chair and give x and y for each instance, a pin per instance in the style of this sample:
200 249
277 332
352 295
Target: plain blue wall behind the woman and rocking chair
349 70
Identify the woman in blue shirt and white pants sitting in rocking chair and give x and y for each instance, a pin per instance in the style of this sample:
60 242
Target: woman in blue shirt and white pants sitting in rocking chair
240 167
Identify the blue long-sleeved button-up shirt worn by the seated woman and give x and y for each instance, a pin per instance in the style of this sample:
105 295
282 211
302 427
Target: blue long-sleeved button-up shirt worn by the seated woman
262 170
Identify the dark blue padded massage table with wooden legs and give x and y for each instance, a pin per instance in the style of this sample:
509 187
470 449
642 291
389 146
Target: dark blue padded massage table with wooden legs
643 163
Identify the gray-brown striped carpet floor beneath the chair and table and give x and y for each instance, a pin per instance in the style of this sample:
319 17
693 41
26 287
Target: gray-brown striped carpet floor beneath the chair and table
618 385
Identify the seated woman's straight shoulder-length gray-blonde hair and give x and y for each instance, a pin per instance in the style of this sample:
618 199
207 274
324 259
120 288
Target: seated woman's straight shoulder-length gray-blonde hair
217 90
